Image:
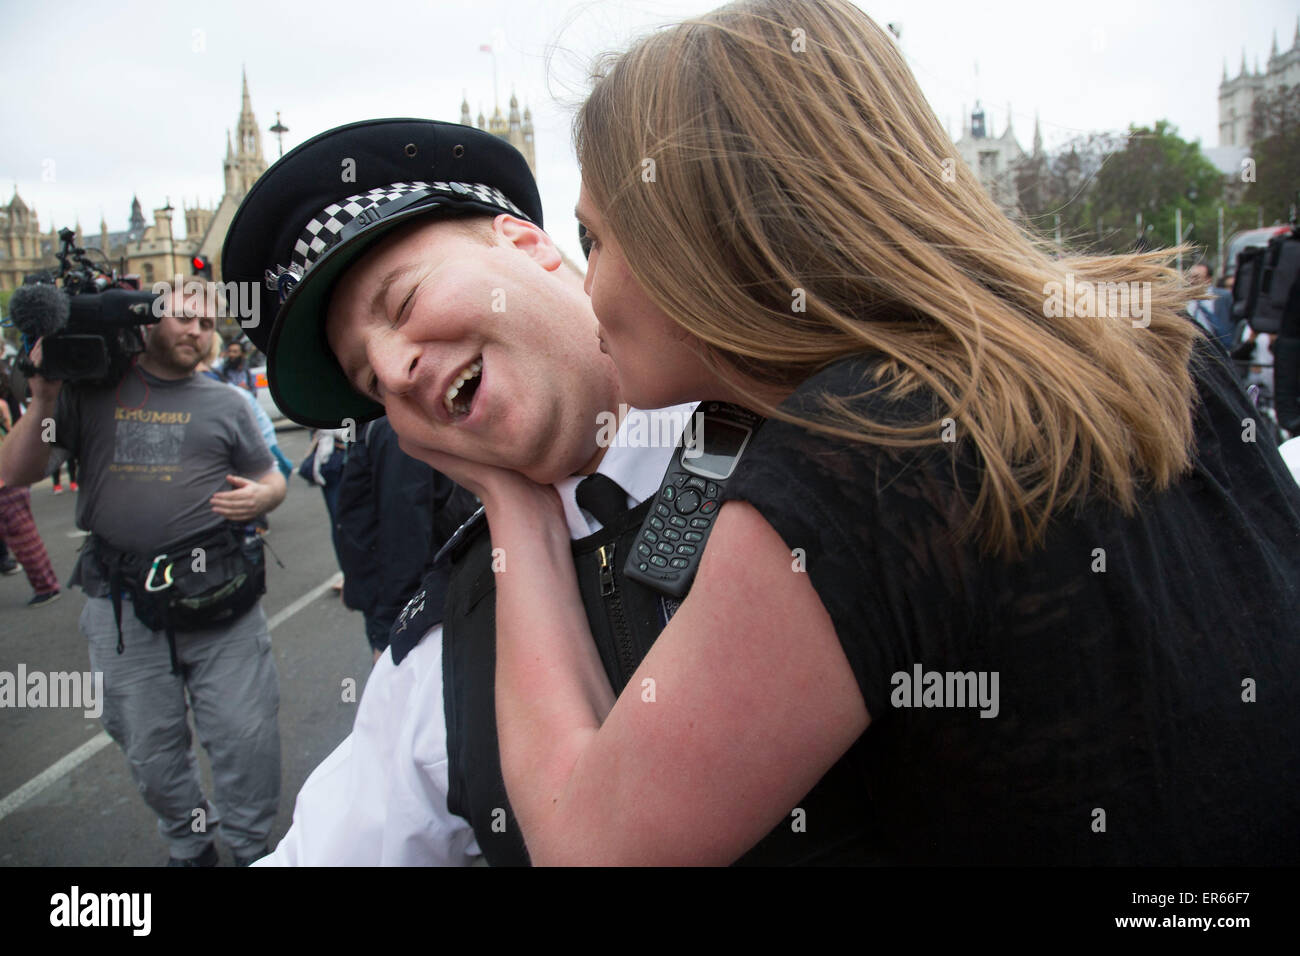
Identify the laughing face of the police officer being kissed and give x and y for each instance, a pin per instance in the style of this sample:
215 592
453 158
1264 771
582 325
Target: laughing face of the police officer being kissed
478 344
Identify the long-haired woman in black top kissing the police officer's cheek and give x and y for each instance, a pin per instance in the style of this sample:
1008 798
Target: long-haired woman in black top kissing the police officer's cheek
999 581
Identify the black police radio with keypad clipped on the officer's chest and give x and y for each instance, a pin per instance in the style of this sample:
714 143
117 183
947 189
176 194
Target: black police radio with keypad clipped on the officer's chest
677 529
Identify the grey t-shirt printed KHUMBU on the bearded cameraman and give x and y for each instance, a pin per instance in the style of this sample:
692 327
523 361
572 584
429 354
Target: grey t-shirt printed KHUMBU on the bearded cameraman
151 456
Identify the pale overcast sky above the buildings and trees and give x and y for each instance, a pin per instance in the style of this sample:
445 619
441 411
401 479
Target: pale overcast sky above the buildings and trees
136 98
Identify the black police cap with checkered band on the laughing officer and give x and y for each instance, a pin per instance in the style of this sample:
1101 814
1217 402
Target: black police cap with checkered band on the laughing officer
326 204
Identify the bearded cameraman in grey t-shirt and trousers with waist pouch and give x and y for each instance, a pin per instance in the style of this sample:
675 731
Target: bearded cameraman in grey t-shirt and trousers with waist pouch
168 456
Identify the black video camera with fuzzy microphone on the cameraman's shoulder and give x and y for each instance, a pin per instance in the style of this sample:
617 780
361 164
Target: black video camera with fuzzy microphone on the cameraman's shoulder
86 315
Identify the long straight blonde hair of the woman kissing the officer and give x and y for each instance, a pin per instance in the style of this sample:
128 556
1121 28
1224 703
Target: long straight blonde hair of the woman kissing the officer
782 189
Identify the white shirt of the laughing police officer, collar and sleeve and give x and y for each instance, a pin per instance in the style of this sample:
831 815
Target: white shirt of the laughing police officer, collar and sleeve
382 797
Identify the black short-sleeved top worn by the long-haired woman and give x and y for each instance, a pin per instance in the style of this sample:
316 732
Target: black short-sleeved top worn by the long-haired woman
1147 704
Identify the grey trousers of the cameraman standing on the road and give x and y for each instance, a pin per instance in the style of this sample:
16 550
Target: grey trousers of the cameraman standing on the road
235 694
